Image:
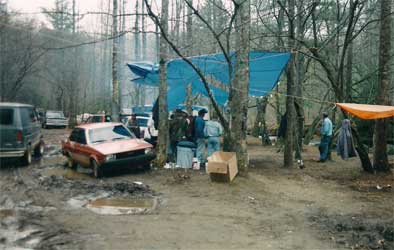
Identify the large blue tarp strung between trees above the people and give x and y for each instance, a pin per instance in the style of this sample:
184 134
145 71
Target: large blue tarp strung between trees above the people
265 69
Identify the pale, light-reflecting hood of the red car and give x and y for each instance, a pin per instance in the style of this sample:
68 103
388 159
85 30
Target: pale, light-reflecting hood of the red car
120 146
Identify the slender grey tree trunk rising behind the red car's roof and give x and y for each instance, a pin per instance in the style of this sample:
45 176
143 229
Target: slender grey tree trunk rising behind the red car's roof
115 46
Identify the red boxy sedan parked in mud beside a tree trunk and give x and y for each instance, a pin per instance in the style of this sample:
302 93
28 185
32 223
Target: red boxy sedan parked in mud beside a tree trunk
102 145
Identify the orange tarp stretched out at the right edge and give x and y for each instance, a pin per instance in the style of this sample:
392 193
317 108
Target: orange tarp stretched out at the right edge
367 112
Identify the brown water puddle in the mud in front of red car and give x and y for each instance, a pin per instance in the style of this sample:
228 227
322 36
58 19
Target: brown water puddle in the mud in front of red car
123 203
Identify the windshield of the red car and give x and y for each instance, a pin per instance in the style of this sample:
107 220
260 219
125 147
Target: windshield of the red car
118 132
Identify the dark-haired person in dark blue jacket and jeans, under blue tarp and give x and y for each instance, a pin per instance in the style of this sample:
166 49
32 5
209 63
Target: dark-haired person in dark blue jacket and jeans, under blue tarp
199 126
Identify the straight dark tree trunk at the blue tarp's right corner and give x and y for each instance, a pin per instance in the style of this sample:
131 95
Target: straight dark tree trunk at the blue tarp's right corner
290 110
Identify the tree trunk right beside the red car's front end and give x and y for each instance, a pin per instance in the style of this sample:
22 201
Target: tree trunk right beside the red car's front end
163 113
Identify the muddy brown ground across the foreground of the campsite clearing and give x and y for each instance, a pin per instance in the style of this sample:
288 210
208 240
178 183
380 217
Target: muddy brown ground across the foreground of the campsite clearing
331 205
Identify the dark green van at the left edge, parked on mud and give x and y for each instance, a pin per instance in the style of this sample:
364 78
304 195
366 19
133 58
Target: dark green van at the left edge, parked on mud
20 132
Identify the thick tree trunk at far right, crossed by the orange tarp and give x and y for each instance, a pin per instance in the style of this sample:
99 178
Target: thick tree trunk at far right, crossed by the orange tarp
380 160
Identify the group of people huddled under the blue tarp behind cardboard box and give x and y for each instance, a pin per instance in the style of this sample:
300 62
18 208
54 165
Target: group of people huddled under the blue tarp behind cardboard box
184 127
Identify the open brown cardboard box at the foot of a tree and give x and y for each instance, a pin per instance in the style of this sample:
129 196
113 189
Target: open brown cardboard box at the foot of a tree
222 166
